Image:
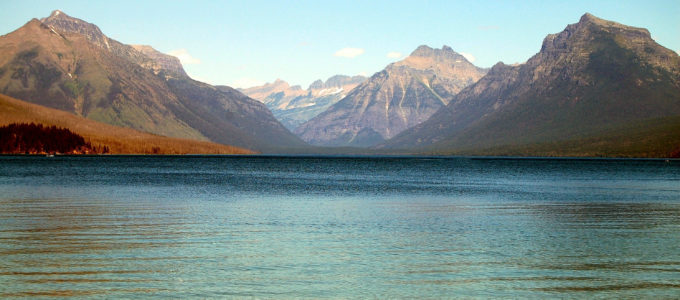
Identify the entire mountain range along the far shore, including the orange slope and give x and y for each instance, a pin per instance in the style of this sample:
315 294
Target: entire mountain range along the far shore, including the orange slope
598 88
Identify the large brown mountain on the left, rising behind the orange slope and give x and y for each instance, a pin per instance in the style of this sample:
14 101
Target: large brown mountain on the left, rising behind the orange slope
69 64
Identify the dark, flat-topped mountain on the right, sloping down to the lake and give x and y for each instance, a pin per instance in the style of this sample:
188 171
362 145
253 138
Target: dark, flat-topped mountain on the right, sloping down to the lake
588 84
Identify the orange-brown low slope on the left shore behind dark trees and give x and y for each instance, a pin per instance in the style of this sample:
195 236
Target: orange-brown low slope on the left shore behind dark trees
118 140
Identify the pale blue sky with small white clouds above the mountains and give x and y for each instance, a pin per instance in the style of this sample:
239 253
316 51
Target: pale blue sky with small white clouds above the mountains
250 42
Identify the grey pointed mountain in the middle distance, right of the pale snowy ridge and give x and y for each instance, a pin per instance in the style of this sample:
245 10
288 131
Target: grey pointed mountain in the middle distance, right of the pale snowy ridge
401 96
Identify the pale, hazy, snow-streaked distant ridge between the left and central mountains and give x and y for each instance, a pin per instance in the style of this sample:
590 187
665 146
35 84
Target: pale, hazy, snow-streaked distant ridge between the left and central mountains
292 105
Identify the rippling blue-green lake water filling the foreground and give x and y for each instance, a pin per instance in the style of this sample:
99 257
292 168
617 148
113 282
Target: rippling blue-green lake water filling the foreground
305 227
